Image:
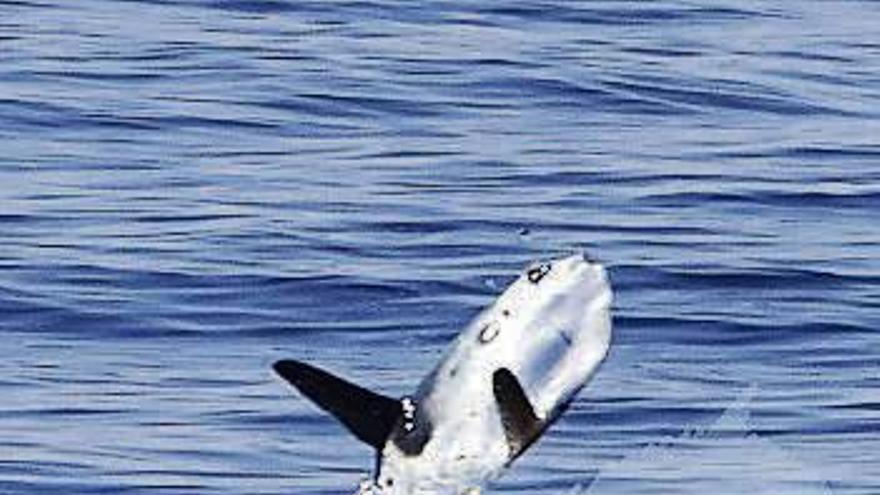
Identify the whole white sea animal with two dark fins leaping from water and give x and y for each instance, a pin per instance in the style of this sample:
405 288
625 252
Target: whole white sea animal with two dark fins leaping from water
502 382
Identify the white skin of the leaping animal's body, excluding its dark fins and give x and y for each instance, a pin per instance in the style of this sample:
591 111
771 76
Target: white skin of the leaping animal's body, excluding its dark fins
551 328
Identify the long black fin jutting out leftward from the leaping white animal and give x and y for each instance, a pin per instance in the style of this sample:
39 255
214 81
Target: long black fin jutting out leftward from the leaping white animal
368 415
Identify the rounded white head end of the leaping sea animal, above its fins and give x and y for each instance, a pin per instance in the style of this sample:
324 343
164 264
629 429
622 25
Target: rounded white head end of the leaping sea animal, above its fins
552 329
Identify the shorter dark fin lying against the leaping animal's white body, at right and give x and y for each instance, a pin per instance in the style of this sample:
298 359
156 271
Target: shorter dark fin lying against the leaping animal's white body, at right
521 425
